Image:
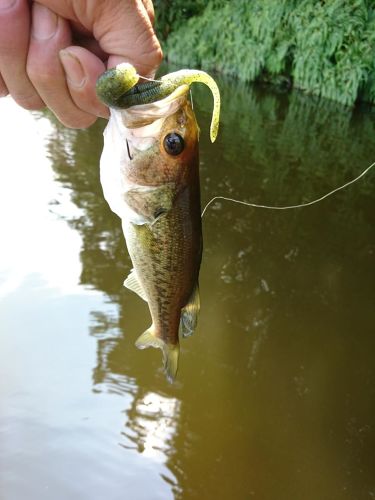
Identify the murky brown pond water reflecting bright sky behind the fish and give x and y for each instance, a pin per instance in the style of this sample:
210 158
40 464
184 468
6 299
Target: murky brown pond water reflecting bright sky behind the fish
275 397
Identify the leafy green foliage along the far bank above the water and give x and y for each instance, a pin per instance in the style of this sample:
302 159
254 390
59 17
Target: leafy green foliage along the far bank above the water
326 48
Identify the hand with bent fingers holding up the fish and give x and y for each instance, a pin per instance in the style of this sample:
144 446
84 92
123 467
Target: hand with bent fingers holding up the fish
52 52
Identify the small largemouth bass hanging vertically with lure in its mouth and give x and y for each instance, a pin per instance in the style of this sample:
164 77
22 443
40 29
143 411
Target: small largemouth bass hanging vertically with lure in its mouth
150 178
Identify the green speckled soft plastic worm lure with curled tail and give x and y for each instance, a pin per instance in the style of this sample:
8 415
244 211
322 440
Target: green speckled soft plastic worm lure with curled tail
118 88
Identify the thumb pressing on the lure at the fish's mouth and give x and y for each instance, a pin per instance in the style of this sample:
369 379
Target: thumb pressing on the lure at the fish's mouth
124 31
